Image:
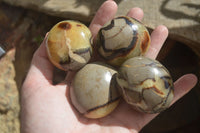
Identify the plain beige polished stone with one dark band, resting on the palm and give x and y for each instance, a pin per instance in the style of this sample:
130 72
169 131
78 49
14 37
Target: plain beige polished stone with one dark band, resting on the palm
93 91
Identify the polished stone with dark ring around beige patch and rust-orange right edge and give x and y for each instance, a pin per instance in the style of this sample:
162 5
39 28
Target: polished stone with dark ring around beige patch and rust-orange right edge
122 38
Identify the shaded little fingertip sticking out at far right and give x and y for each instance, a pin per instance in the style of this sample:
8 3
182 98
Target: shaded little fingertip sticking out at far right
183 85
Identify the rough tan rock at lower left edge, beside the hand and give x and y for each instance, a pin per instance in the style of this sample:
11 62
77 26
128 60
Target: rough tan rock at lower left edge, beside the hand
9 97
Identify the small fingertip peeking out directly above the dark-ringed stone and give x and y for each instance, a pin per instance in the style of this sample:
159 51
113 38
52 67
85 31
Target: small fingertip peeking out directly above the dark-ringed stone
136 13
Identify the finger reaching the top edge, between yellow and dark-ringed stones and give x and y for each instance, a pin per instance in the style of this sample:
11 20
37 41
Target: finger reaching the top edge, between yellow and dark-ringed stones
105 13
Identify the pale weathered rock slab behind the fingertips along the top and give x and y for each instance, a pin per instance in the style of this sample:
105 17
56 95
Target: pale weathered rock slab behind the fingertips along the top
181 17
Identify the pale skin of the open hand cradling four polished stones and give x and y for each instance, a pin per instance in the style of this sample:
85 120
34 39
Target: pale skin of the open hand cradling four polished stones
46 108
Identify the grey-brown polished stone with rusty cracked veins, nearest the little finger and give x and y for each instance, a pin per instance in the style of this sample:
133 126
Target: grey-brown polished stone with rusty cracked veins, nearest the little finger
145 84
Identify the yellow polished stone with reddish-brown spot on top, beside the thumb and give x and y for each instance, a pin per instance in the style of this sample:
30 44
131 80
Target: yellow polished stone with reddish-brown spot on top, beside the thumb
69 45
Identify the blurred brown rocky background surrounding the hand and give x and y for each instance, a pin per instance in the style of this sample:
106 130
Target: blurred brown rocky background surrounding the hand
24 23
